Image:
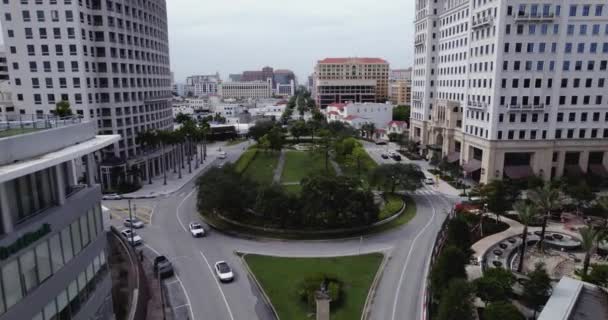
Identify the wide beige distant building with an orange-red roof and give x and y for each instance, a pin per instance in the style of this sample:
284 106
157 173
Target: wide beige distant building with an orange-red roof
341 80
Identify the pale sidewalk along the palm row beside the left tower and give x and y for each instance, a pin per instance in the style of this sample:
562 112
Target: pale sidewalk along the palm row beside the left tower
157 188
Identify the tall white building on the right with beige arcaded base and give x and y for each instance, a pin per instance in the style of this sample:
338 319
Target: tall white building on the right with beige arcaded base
512 88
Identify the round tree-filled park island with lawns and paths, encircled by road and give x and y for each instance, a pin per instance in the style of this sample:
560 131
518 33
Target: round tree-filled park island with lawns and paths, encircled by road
323 185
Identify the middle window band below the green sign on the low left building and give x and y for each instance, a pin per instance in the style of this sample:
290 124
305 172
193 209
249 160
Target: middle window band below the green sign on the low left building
31 268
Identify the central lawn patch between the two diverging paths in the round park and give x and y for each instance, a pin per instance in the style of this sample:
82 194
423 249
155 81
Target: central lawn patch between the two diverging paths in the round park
300 164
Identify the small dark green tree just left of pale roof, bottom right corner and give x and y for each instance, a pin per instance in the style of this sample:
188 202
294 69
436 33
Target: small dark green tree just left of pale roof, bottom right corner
537 288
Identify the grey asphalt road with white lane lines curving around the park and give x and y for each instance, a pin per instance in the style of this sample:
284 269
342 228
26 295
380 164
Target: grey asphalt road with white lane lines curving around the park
400 291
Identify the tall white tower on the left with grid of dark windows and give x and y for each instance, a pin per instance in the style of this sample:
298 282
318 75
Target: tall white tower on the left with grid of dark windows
109 59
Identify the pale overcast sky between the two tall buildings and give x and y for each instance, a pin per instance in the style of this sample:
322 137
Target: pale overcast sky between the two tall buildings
229 36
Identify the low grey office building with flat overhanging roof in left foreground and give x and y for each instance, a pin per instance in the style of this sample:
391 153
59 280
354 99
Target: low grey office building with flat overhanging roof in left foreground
52 239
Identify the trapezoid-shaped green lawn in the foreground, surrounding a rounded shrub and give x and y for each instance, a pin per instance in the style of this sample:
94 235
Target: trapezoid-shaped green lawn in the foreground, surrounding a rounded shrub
280 278
